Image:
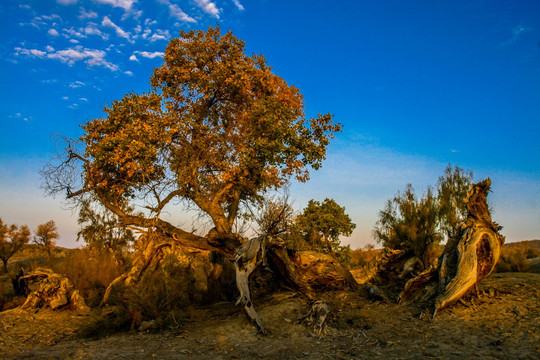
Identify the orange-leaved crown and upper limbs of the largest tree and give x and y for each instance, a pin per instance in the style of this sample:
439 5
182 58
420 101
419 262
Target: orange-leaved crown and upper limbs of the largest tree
216 131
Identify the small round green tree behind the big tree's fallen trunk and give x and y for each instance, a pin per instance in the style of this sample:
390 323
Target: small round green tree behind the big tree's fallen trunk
321 225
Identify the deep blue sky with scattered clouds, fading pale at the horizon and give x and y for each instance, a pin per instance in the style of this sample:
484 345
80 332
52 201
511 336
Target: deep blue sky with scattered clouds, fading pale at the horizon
416 84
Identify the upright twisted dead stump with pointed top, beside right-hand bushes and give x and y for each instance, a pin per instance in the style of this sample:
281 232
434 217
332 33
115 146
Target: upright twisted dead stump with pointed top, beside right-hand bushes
465 261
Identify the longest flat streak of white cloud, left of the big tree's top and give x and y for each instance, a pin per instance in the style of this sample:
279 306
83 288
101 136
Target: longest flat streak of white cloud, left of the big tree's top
70 56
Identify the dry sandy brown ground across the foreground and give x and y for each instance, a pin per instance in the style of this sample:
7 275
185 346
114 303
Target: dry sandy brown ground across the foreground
504 323
